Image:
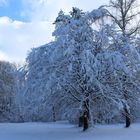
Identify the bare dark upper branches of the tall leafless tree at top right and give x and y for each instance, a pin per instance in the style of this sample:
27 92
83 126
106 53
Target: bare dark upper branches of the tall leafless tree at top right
125 14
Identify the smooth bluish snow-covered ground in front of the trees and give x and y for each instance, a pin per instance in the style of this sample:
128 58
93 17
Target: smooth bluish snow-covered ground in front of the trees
66 131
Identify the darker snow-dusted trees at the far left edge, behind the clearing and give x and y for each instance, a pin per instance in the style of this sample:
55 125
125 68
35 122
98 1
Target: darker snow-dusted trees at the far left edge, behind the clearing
8 90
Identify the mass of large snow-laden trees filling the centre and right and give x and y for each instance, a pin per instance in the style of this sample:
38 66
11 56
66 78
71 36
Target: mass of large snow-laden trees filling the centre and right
91 68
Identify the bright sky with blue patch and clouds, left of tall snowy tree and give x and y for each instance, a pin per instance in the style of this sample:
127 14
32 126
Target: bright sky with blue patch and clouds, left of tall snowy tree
25 24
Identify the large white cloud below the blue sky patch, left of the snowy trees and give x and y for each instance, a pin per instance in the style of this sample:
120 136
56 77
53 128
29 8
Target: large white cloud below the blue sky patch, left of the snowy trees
16 37
